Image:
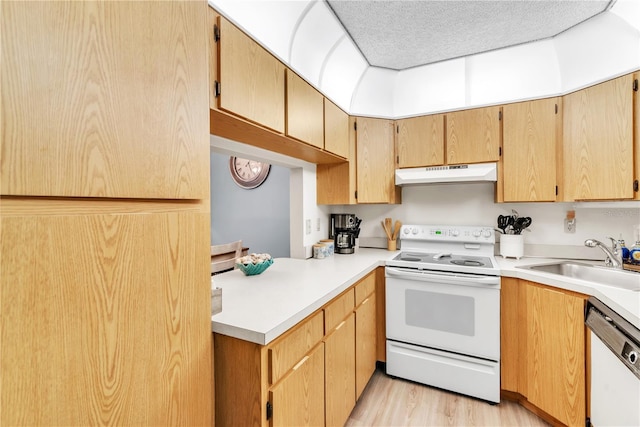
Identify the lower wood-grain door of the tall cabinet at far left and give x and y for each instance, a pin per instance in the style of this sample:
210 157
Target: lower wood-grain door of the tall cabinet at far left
105 320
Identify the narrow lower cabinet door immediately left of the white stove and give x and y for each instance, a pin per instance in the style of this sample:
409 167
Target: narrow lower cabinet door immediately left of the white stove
365 342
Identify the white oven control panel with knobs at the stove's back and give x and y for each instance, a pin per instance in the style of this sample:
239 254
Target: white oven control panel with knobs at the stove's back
448 233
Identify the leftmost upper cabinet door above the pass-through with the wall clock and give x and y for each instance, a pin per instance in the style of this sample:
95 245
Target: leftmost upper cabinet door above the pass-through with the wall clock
252 81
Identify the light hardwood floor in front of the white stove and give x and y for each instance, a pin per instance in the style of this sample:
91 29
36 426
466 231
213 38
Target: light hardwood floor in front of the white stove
390 401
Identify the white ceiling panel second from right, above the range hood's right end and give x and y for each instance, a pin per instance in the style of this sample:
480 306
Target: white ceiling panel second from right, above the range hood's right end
521 72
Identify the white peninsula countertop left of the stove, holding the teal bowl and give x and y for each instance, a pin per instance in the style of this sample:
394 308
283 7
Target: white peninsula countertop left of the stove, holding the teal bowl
260 308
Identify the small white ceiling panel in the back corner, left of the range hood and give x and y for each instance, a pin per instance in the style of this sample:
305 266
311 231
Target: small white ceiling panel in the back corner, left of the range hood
374 94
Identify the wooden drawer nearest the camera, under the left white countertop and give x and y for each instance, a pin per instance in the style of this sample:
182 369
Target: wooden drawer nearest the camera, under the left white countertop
289 350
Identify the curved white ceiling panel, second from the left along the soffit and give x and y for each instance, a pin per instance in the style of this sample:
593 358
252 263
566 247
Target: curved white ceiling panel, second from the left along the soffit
315 37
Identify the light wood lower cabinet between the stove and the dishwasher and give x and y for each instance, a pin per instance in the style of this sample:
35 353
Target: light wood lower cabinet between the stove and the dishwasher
543 349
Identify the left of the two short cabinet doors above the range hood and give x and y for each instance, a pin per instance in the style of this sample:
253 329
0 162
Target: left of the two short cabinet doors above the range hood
420 141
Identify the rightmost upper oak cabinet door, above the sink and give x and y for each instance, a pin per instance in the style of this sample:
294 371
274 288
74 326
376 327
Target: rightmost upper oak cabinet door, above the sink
598 141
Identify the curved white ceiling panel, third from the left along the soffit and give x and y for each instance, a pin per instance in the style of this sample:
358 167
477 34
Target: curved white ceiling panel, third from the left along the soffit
341 73
